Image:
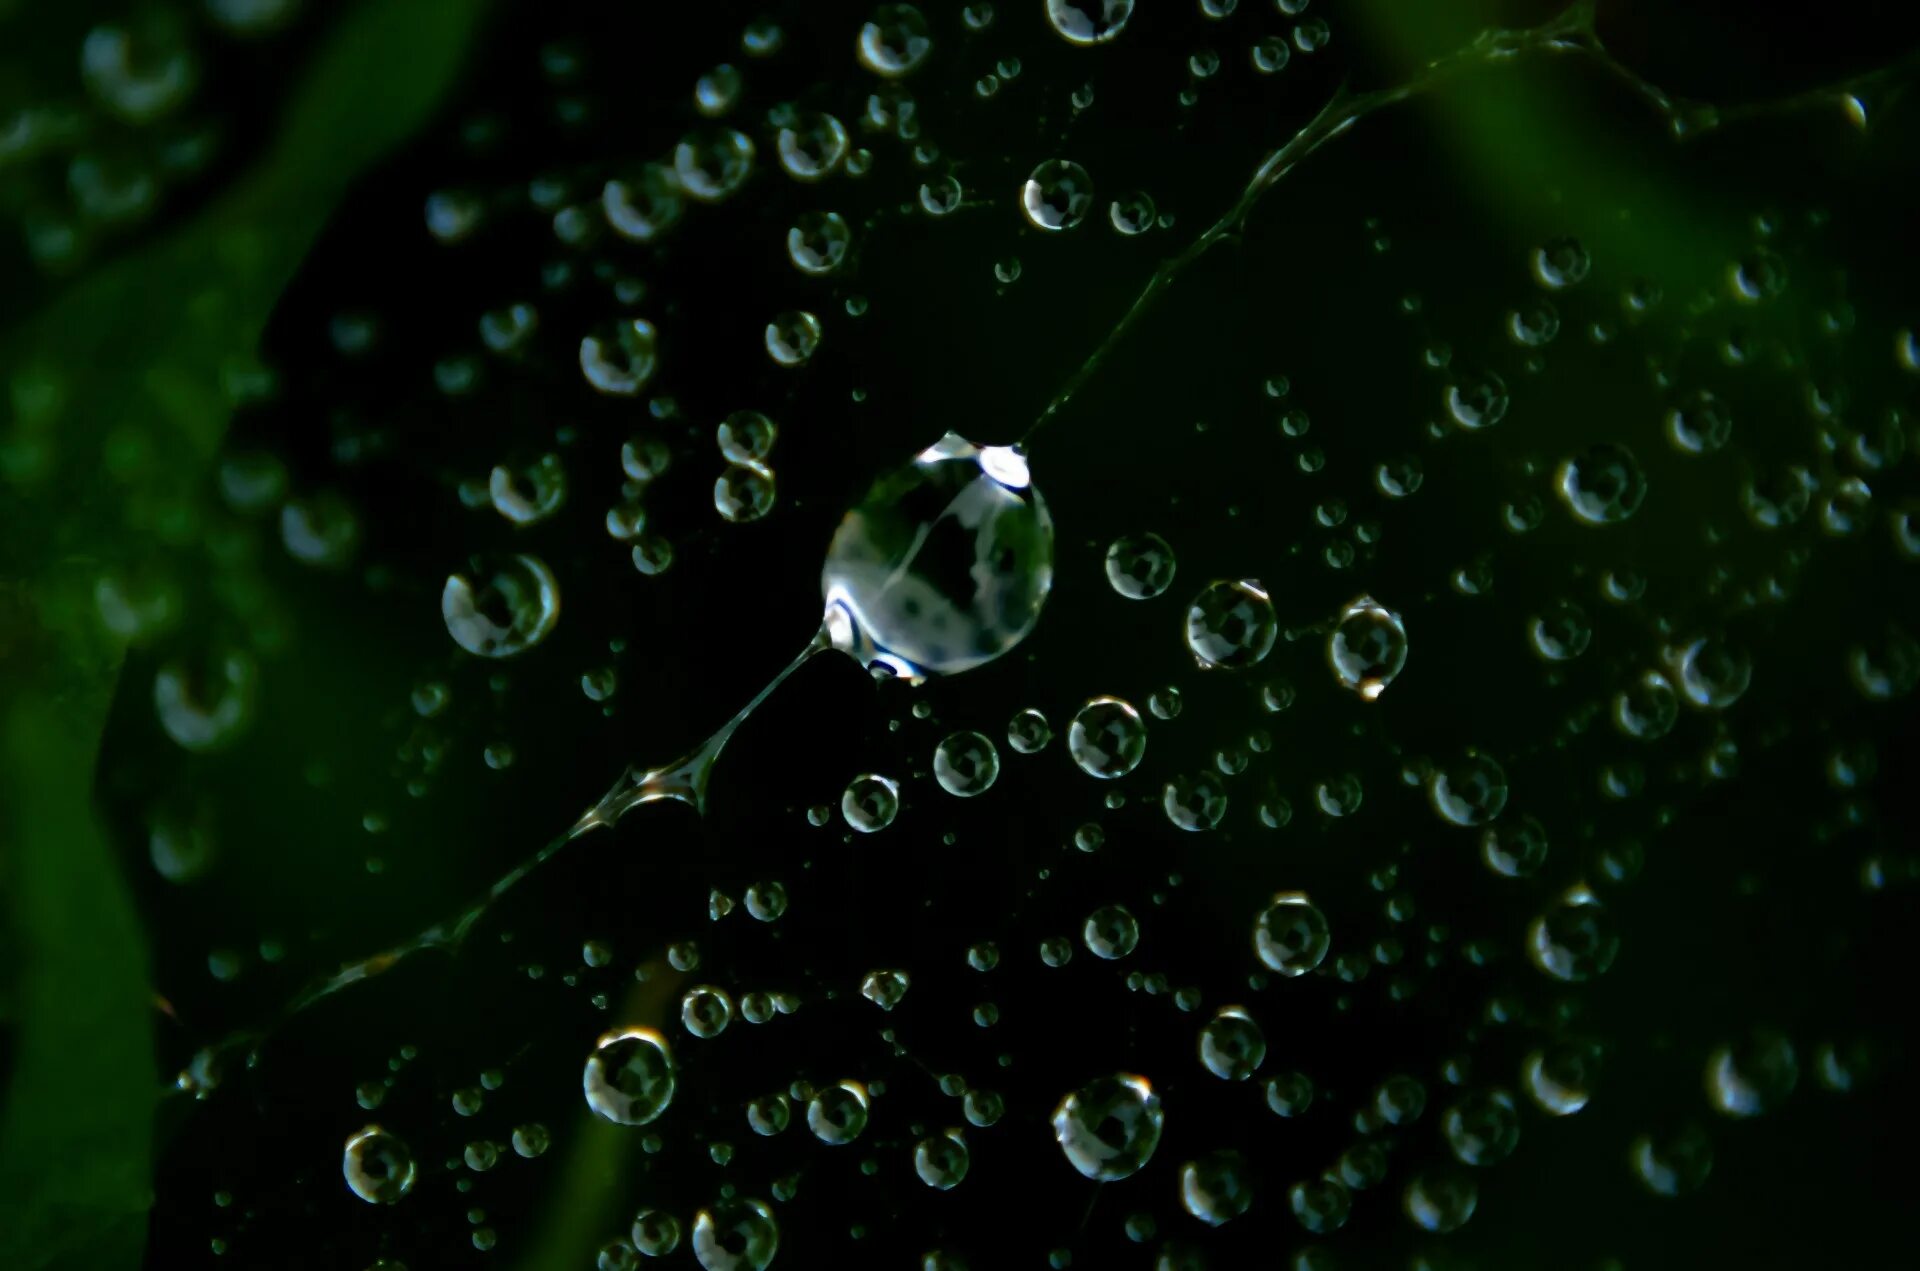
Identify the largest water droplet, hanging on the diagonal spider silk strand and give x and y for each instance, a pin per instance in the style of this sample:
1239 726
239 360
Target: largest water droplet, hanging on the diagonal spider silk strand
944 565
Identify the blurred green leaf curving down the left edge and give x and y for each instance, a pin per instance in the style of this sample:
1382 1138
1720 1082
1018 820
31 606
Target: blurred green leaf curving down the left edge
118 408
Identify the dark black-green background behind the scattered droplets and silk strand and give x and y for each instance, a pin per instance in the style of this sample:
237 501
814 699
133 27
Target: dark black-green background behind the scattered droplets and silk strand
1748 913
